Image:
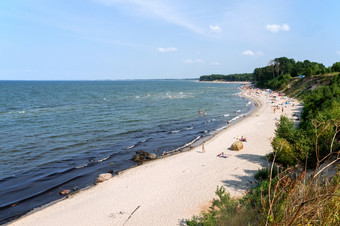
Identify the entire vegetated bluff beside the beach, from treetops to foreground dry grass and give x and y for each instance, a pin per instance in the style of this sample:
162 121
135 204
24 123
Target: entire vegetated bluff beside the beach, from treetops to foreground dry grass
285 193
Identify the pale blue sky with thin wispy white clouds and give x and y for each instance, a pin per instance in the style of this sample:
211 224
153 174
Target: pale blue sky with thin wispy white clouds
147 39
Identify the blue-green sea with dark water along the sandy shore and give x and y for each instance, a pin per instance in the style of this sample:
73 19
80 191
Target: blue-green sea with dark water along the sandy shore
57 135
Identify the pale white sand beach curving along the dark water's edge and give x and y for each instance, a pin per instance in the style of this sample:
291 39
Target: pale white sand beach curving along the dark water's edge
171 189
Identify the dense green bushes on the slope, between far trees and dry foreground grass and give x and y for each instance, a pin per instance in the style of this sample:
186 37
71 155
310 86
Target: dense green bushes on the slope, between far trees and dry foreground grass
320 124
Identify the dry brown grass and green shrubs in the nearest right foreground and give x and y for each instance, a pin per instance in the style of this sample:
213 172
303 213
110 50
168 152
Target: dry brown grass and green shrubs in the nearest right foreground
277 200
